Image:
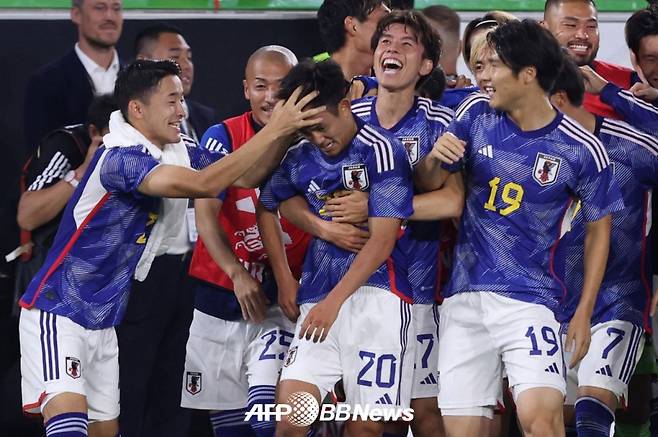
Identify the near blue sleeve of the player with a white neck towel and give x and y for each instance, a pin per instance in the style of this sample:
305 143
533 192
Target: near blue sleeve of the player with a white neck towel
124 169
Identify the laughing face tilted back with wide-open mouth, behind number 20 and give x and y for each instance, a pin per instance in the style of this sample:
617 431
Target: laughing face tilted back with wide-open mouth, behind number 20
399 60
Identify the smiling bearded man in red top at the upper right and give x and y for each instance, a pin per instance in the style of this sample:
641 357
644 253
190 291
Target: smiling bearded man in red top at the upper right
575 25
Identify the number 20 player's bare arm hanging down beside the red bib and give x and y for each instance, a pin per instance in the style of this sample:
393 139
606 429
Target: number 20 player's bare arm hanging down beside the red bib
272 236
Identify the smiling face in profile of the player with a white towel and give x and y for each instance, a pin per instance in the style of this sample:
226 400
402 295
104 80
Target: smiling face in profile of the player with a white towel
159 115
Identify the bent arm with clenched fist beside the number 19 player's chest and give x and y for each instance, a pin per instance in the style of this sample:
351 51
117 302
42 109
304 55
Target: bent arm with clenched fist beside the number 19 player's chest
428 174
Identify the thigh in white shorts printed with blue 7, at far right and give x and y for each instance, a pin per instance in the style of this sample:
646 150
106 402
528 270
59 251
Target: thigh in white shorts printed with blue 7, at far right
614 351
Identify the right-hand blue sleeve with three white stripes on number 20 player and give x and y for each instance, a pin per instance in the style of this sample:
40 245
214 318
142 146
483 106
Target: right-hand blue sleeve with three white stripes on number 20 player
391 194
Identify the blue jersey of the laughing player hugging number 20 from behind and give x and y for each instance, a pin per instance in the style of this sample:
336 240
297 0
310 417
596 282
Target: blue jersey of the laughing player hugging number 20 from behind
418 130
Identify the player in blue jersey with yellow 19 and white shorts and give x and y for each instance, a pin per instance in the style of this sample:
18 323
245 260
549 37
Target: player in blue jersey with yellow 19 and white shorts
523 161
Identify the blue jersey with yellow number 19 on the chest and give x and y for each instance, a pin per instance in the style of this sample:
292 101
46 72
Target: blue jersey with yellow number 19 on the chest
519 186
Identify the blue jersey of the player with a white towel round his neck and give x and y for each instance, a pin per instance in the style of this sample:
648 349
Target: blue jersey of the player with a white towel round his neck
104 228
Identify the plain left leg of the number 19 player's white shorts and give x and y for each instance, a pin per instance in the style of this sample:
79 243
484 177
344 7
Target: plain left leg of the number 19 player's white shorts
469 363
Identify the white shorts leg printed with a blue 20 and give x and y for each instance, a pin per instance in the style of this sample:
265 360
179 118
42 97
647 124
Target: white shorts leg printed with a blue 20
377 348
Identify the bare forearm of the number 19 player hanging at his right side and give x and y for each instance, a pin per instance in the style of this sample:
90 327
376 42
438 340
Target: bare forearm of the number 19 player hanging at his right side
597 245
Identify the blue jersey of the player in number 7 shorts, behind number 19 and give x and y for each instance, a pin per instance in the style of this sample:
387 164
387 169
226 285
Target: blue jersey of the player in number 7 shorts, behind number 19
625 290
